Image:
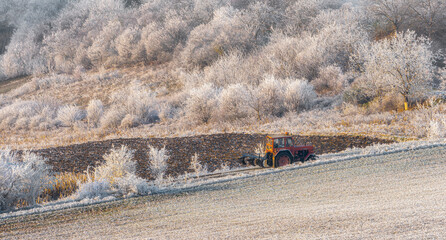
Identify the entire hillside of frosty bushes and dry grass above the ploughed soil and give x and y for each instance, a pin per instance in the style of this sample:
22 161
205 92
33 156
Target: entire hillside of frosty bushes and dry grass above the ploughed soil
130 68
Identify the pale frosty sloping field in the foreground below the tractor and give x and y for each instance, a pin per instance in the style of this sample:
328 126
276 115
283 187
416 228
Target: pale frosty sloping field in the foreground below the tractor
400 195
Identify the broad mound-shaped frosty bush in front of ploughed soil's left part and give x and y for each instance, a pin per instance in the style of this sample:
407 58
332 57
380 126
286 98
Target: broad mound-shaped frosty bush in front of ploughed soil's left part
116 176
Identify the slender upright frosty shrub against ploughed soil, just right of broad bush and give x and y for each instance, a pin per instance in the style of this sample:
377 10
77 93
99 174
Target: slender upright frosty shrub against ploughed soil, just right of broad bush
158 162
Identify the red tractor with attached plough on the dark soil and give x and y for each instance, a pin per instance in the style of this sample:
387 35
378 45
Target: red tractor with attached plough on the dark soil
279 151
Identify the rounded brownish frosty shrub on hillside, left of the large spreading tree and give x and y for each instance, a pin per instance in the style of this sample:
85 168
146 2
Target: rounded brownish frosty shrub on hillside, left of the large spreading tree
331 81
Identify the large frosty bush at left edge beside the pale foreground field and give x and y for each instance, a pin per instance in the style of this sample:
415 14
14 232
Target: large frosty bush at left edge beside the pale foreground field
21 178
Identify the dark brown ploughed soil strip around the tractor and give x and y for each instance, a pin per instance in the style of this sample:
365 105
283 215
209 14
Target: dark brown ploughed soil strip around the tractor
214 150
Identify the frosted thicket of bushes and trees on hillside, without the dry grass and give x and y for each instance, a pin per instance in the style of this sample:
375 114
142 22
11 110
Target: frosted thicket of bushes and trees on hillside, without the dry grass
228 60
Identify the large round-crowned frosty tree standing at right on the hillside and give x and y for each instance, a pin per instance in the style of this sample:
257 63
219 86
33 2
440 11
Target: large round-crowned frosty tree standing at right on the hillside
403 64
